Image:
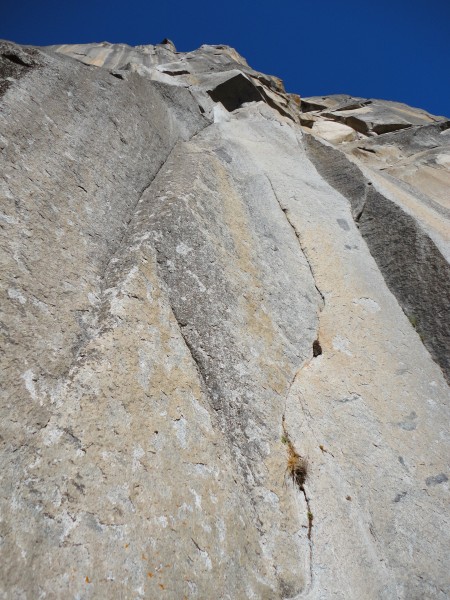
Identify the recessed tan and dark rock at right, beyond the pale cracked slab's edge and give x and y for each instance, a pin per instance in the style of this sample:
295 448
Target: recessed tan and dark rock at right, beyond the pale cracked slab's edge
398 185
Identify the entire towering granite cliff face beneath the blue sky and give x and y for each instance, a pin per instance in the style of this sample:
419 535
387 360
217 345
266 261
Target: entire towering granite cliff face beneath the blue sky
225 321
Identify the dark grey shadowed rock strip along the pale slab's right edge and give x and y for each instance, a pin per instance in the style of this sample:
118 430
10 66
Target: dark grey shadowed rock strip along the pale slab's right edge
412 264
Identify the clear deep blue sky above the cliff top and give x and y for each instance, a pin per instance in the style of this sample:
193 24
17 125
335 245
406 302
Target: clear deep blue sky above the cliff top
390 49
